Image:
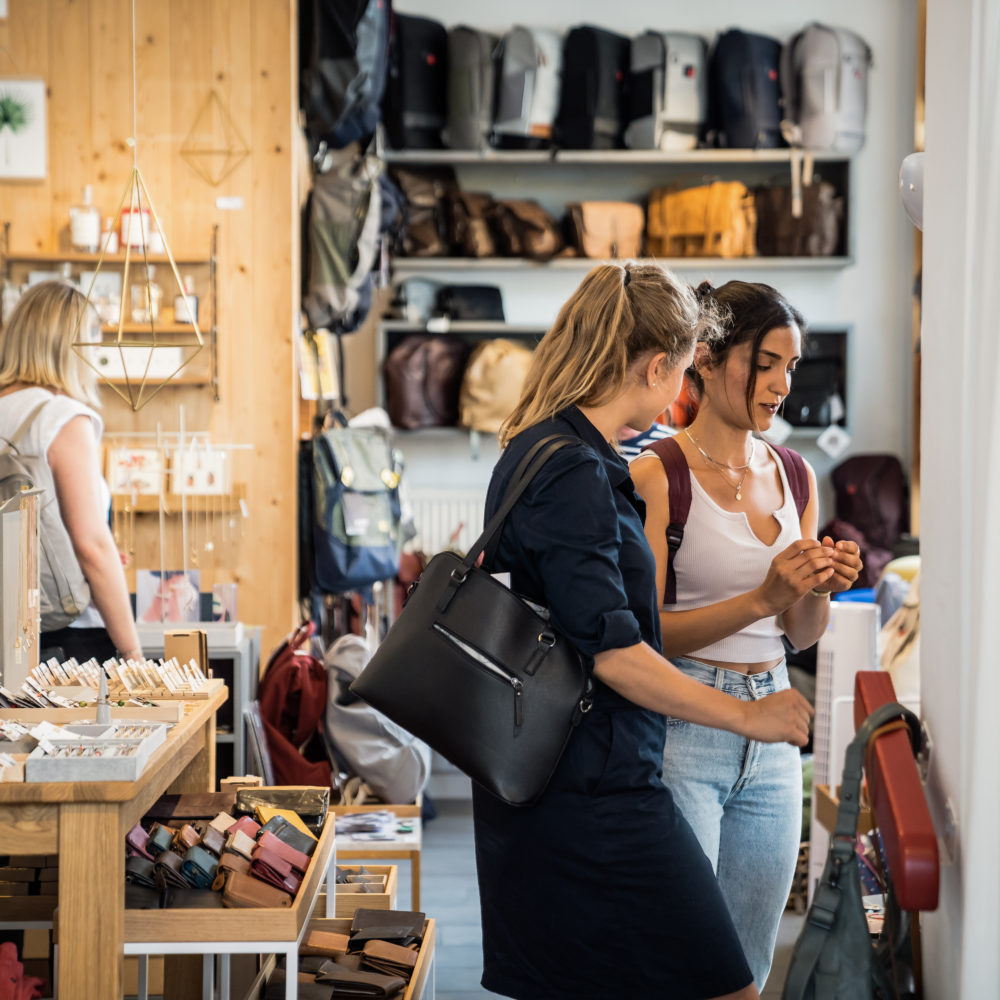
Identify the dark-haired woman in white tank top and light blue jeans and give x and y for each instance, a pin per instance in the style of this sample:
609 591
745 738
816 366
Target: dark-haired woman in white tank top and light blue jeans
749 569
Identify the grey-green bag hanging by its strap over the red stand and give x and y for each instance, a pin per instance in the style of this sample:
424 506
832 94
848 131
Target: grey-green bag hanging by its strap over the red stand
835 957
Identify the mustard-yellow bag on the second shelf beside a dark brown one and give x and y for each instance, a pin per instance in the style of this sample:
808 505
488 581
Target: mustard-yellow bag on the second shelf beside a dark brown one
710 220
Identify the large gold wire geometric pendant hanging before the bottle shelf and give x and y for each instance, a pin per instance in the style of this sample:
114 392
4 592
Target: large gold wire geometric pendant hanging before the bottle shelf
144 309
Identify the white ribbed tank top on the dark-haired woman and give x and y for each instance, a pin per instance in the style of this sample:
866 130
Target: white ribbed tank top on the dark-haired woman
720 558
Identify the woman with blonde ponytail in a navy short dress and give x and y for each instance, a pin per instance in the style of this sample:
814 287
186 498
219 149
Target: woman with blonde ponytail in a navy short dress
600 889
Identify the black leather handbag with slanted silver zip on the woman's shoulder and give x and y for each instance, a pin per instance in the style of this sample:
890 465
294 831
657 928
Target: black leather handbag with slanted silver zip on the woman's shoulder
476 672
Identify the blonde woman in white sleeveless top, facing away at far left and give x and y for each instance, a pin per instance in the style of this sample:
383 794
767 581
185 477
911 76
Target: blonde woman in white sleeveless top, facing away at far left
48 401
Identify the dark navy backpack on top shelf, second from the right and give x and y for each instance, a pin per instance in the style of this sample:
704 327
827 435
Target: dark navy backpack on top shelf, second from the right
745 91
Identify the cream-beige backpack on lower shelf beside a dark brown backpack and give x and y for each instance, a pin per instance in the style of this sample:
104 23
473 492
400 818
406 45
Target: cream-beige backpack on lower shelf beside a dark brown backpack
491 386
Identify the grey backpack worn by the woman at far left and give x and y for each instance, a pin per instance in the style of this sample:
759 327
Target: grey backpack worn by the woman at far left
65 593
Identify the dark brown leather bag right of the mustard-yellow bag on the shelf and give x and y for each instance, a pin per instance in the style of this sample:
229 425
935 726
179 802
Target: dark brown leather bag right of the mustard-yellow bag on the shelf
814 233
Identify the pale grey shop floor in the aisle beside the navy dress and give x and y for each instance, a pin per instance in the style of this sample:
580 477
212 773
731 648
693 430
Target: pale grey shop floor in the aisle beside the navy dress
450 895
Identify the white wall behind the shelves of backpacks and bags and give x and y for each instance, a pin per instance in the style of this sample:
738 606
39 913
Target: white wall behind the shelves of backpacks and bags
873 294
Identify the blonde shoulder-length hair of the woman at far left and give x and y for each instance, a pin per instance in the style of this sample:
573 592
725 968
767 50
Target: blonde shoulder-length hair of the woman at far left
36 342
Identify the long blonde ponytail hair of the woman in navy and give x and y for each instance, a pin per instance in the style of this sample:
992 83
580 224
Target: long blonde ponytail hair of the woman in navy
619 314
